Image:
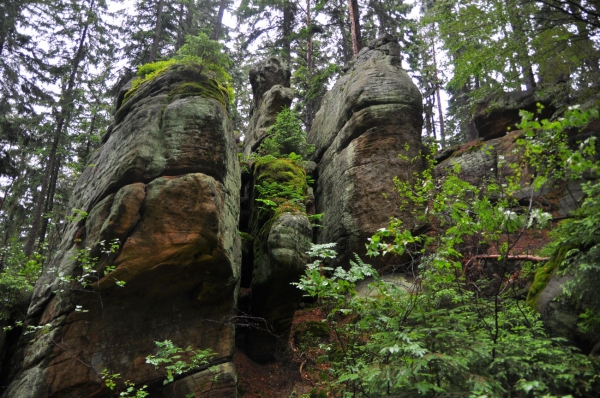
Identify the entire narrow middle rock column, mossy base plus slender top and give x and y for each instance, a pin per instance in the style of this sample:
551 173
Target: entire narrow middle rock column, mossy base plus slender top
279 232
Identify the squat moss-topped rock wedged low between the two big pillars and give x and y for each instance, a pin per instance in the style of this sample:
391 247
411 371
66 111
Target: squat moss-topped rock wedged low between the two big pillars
280 237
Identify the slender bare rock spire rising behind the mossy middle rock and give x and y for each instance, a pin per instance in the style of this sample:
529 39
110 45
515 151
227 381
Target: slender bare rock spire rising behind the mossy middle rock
270 81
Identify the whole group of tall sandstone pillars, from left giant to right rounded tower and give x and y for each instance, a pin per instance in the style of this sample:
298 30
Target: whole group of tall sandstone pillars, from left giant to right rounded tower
155 253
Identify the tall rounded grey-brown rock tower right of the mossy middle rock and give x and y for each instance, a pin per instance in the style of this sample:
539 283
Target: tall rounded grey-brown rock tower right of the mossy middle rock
372 114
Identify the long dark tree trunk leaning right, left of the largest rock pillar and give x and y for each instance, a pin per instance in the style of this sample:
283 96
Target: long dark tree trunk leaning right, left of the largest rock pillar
66 107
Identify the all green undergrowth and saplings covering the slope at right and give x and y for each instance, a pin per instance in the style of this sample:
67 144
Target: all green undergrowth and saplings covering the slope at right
457 331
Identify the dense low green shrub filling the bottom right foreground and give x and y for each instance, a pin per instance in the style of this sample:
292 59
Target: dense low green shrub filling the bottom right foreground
437 339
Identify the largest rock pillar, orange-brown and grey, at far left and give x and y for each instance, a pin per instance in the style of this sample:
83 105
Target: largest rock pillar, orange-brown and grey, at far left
165 184
